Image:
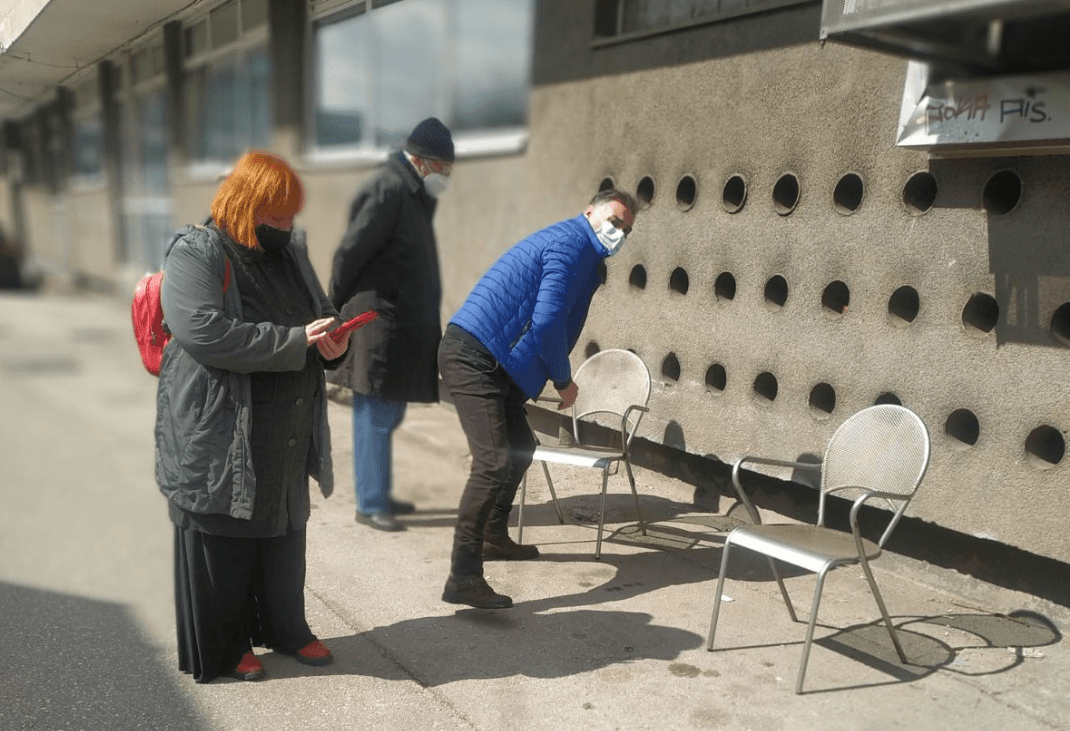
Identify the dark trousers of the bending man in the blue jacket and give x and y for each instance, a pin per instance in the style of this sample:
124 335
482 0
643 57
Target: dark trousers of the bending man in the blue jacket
492 410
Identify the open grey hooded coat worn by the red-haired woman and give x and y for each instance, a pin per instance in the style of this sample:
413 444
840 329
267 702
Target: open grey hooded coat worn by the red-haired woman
204 402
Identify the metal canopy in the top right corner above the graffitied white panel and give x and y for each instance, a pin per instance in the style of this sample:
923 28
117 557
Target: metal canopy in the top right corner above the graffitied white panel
984 37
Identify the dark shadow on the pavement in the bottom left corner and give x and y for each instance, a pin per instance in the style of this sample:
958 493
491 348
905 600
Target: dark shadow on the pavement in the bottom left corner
69 662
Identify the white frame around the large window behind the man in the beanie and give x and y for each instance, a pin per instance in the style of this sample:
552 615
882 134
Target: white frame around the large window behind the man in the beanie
467 145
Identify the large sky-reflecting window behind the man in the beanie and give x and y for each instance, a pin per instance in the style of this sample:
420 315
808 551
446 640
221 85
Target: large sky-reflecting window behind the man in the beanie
380 70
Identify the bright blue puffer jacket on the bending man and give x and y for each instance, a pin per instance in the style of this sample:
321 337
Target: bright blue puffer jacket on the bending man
530 308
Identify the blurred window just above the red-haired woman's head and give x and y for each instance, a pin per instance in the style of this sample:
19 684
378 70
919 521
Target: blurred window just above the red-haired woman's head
228 84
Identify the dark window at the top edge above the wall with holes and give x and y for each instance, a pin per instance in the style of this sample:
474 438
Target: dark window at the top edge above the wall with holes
615 19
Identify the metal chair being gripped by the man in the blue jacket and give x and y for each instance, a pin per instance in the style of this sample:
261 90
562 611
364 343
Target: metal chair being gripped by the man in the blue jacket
613 384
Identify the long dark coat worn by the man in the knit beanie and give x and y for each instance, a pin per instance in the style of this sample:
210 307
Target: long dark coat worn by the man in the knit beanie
388 262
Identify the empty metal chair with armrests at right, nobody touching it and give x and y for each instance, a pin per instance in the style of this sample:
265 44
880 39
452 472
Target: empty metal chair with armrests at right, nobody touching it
881 453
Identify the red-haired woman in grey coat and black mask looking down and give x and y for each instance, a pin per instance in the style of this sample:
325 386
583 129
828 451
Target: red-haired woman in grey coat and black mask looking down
242 422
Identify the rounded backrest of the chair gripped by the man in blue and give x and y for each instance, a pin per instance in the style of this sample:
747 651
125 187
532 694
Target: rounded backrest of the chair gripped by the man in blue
610 382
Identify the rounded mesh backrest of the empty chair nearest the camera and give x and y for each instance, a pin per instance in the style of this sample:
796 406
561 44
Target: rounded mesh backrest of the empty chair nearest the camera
883 448
